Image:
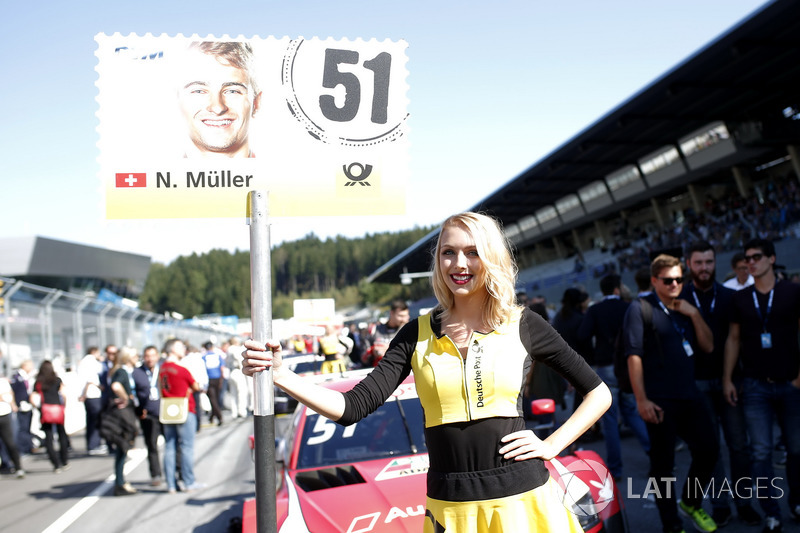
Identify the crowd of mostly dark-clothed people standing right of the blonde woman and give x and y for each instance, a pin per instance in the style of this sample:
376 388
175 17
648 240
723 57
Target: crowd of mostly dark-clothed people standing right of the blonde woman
692 362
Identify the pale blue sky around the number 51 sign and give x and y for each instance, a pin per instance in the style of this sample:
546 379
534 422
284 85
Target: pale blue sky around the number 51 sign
492 89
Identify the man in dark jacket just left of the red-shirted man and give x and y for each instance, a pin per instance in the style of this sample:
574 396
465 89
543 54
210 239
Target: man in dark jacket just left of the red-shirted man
145 377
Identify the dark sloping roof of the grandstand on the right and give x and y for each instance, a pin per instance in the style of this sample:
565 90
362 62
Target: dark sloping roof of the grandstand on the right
746 79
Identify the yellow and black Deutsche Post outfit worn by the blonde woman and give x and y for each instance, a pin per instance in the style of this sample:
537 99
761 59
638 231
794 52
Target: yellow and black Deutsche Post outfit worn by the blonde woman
470 403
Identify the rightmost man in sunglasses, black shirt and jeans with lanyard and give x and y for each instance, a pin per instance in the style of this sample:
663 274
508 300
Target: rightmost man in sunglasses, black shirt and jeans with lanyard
765 320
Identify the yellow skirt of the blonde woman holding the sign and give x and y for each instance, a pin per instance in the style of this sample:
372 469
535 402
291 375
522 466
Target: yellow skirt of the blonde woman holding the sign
537 511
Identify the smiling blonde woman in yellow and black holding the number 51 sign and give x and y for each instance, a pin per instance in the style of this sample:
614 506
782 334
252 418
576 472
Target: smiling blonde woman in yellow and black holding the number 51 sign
486 470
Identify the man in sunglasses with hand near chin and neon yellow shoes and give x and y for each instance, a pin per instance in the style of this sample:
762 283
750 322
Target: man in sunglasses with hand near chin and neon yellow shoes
661 369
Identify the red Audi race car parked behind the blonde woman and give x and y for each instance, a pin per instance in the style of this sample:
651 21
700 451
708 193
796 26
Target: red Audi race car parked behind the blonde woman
370 476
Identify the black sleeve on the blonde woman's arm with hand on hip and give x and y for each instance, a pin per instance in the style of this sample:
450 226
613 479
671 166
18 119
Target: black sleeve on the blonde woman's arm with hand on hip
544 344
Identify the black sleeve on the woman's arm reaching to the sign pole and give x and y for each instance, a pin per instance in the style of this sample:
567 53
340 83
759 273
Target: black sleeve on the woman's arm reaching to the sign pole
372 391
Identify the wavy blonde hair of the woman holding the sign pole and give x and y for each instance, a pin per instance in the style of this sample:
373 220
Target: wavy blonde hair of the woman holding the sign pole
500 270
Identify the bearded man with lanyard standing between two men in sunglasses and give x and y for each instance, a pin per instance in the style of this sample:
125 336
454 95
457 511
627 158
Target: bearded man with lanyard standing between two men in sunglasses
714 302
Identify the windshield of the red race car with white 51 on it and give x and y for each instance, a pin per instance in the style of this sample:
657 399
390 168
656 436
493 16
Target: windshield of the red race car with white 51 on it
395 428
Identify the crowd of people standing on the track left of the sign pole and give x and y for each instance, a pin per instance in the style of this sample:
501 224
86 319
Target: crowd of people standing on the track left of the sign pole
161 394
